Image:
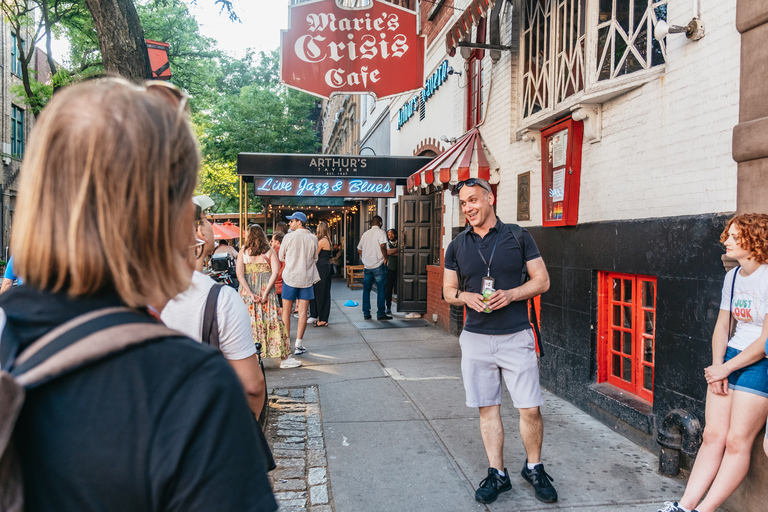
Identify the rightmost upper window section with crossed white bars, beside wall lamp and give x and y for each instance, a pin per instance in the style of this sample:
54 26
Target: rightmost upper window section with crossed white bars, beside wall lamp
625 41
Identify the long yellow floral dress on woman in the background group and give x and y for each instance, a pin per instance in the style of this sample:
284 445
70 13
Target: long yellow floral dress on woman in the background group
267 325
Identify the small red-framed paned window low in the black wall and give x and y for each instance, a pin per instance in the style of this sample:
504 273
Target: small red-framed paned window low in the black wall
627 332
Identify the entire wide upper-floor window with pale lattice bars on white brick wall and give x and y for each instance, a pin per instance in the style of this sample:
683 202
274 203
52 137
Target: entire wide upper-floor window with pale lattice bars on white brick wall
564 51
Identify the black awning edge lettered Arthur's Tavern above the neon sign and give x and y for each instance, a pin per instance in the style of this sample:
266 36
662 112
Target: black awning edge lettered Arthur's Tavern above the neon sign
250 165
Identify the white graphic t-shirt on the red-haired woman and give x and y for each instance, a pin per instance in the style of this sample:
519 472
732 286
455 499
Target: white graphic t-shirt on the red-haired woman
749 307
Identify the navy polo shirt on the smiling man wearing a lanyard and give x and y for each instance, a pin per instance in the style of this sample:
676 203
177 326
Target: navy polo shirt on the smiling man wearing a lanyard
506 269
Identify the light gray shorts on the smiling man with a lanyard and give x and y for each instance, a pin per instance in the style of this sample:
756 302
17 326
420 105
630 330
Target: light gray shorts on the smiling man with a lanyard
485 358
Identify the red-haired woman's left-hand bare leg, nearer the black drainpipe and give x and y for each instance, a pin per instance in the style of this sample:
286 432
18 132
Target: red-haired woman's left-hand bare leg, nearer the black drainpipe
718 416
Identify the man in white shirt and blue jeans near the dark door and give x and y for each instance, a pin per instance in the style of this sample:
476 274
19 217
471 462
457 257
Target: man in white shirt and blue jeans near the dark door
373 252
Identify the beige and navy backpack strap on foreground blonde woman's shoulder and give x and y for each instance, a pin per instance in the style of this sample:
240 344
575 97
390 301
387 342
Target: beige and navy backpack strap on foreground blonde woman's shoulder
83 340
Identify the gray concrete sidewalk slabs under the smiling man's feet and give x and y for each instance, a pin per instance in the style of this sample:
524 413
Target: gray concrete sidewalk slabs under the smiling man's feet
399 437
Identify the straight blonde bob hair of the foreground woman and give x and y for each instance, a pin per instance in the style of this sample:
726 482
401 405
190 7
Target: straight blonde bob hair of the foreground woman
105 193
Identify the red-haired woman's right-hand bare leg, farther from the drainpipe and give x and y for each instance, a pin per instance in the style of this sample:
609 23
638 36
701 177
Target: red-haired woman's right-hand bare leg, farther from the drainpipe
748 413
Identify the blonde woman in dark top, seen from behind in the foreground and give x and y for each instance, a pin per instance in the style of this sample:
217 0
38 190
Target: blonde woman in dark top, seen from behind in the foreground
100 239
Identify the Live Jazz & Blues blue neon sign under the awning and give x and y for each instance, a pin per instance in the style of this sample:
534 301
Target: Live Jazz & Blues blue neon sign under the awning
324 187
